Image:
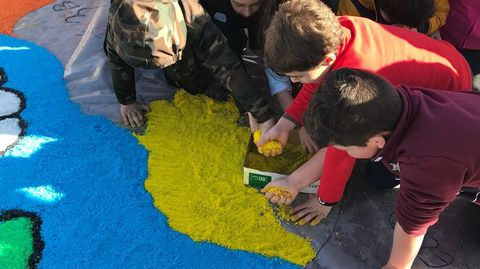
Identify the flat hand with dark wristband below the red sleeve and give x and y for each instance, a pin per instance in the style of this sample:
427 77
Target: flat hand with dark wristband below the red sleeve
310 211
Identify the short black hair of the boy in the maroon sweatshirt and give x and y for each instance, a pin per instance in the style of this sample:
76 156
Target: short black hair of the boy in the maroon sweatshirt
351 107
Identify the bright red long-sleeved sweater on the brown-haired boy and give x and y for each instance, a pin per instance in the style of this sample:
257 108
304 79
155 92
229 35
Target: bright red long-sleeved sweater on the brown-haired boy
399 55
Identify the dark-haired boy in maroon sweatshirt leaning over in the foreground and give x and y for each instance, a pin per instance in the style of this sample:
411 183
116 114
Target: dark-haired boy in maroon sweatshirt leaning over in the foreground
408 130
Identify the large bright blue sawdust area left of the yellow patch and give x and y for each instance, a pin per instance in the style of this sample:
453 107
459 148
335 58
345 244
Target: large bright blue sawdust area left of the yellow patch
87 182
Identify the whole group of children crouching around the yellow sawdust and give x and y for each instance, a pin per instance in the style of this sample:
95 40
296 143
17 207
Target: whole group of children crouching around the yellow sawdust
391 92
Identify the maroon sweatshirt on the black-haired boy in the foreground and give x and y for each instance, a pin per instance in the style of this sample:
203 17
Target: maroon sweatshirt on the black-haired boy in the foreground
435 151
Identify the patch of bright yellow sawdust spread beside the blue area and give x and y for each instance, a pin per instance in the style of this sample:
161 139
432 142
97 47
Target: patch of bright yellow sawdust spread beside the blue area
195 178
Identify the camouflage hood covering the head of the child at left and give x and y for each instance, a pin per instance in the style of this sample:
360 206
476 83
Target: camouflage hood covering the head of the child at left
148 33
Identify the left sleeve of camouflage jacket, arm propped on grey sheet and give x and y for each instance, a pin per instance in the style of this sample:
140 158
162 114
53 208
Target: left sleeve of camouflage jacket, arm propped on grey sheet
123 76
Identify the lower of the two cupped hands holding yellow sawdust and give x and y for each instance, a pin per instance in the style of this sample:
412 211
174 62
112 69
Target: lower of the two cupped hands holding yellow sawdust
280 192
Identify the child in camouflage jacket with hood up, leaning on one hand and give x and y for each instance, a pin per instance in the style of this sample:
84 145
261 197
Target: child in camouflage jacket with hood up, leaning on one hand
180 37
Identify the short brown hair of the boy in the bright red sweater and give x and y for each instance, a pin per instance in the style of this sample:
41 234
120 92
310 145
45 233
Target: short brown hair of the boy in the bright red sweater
300 34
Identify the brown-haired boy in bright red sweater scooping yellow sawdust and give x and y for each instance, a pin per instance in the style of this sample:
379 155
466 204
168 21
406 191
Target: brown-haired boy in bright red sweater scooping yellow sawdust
305 41
